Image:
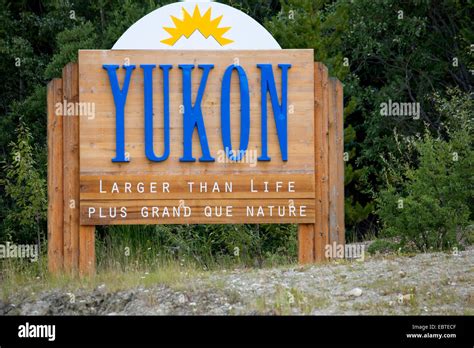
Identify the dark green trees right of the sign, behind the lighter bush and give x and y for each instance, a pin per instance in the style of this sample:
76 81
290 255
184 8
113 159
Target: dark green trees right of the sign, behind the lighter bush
381 51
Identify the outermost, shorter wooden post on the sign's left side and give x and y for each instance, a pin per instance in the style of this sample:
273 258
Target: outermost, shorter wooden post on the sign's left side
55 179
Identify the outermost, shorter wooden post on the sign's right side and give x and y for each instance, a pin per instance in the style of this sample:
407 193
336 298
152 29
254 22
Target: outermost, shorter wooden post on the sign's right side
333 159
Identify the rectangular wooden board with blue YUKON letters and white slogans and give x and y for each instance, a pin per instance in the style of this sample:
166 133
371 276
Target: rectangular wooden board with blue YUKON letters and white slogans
197 137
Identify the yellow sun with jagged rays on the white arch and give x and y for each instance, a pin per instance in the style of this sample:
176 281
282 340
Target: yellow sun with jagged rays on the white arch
203 23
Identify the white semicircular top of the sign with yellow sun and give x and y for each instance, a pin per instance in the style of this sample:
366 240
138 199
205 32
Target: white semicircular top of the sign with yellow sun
196 25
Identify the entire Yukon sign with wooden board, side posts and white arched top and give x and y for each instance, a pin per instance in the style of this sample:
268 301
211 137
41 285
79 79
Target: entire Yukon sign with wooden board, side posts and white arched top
195 116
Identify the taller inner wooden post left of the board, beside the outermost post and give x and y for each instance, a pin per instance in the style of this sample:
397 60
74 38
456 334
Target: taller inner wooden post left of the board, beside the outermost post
71 171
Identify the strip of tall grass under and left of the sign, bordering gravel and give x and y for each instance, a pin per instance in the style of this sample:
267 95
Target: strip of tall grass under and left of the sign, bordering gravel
133 255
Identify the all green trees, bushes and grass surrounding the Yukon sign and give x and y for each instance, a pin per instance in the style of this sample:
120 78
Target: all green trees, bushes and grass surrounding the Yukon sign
408 178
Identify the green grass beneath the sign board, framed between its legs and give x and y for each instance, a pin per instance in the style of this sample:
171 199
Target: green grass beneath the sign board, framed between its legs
202 246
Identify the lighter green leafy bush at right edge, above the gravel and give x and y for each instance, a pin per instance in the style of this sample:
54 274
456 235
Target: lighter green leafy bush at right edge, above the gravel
429 196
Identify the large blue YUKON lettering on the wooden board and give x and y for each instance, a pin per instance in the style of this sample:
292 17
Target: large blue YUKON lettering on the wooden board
193 118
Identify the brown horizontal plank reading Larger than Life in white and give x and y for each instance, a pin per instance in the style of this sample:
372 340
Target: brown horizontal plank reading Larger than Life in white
147 186
